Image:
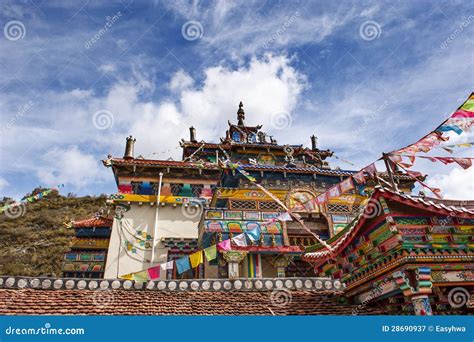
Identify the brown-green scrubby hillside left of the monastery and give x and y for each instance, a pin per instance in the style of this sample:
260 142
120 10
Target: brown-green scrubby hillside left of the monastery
33 243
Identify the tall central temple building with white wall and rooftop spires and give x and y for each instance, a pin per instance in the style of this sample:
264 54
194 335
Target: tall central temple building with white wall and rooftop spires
202 201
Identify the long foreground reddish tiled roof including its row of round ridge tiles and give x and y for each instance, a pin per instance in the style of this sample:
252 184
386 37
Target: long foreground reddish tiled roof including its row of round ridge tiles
50 297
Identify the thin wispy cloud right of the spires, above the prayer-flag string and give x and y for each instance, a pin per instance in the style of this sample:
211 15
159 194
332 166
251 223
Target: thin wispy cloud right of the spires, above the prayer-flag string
362 119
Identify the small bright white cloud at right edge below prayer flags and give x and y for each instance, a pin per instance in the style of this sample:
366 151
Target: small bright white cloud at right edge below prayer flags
457 184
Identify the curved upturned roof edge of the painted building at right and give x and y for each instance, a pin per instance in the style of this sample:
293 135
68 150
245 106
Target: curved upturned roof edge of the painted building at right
342 239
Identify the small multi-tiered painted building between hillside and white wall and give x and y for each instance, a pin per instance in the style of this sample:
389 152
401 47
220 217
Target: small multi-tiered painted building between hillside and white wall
88 249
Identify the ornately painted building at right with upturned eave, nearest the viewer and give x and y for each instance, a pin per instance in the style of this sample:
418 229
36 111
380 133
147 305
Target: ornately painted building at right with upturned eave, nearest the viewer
407 254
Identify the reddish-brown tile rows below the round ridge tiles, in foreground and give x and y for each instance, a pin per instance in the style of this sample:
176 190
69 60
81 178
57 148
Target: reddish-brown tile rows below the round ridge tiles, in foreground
134 302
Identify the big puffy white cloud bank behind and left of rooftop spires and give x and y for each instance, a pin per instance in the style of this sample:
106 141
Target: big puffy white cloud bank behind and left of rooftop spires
35 145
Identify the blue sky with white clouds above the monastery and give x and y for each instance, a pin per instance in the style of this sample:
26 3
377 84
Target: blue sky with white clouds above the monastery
76 78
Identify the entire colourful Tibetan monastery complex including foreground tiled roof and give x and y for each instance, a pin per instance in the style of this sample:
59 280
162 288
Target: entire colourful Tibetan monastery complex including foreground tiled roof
375 249
